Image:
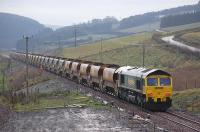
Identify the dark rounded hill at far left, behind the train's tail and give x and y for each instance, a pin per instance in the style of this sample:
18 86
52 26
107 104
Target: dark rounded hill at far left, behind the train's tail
13 27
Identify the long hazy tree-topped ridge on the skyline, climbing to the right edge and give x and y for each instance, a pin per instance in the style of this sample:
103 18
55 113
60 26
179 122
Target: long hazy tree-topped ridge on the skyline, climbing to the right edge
97 28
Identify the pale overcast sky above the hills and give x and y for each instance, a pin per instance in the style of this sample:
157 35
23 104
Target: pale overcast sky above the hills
67 12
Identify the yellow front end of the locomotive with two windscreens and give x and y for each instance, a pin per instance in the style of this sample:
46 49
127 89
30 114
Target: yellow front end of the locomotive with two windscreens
158 90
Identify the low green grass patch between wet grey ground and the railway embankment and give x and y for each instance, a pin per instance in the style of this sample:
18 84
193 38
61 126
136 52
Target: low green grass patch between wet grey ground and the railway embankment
59 99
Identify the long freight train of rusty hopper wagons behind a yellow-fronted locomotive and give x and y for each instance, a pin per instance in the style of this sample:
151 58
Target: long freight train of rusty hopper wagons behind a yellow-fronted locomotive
149 88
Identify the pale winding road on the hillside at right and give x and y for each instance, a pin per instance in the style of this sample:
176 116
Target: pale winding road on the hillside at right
170 40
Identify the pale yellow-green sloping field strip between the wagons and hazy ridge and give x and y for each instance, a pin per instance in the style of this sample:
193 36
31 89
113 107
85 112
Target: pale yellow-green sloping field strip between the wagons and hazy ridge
94 48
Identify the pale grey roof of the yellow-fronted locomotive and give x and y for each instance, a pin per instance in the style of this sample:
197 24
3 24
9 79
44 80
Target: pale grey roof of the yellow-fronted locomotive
140 71
